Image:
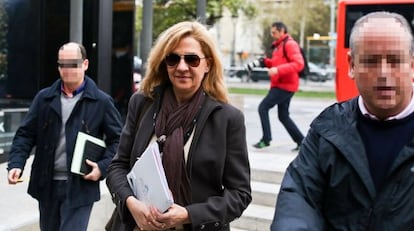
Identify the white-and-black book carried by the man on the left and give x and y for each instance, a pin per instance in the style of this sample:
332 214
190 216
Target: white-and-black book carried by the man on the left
86 147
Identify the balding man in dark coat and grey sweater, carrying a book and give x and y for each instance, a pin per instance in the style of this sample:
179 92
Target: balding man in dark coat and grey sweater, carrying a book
72 104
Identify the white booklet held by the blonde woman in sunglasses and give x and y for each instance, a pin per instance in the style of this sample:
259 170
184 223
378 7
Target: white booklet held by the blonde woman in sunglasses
148 181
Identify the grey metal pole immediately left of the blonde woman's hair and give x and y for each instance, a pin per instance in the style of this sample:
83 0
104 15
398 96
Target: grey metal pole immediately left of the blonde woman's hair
146 34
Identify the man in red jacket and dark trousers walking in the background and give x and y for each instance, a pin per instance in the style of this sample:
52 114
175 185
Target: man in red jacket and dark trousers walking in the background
284 82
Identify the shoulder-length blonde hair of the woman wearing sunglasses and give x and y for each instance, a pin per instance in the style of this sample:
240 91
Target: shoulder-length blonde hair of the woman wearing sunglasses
156 72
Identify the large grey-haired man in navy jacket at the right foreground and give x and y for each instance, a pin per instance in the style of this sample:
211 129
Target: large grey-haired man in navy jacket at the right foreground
355 168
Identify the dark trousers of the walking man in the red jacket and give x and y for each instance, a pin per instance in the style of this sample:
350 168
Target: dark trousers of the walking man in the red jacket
282 99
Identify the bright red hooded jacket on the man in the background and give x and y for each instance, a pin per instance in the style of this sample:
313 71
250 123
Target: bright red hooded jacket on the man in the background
287 77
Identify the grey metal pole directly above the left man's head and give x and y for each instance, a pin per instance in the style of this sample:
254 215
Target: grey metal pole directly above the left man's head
76 21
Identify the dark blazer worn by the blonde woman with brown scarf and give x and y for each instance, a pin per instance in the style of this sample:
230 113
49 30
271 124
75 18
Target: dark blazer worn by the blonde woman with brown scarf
217 164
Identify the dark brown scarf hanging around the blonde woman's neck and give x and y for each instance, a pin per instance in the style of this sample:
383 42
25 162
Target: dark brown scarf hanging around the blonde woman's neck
173 122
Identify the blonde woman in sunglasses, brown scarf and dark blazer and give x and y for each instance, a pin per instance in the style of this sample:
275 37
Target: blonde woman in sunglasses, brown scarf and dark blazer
183 104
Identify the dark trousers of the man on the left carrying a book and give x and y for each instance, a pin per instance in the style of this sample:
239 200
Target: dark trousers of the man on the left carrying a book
57 215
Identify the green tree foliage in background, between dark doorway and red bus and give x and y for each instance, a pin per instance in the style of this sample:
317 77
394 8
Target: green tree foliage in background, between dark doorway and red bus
313 15
